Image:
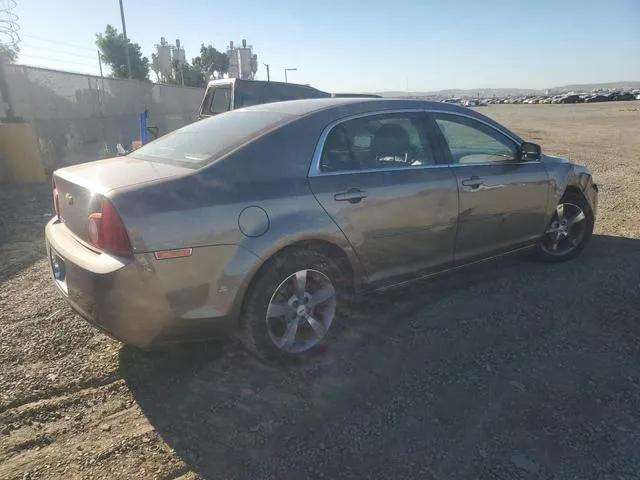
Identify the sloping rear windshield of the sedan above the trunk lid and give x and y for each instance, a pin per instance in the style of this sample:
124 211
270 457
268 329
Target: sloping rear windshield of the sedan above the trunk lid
202 142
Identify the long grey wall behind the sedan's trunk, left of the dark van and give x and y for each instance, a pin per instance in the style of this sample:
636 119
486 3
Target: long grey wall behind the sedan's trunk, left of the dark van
78 118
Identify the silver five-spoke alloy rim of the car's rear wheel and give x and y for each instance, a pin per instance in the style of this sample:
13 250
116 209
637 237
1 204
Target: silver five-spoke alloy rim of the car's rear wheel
301 311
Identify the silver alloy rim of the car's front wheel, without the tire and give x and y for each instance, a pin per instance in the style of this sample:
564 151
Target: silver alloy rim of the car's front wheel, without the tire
566 230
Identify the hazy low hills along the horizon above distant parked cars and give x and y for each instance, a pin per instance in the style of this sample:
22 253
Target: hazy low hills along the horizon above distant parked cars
504 92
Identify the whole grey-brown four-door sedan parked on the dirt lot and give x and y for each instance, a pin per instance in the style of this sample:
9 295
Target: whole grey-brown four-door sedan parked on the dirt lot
263 220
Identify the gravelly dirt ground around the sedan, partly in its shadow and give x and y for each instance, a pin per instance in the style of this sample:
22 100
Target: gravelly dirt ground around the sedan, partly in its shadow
512 370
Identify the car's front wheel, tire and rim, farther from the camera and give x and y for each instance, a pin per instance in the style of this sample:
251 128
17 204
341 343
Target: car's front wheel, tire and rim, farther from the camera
568 231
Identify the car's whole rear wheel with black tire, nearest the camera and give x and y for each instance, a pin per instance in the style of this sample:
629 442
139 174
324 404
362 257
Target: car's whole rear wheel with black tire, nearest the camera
275 286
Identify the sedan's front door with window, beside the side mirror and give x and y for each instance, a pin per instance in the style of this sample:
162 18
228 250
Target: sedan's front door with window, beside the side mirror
502 199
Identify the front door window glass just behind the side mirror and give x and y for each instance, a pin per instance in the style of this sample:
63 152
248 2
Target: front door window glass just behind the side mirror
470 141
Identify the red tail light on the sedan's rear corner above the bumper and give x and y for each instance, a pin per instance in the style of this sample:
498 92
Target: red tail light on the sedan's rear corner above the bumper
106 231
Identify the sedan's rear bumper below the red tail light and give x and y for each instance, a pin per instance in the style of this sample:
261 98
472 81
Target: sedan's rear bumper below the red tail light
146 302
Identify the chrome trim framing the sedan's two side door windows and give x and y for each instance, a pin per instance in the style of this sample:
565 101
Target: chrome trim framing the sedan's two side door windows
314 168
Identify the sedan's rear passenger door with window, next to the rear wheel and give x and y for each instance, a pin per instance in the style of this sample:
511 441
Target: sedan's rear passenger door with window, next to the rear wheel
377 177
